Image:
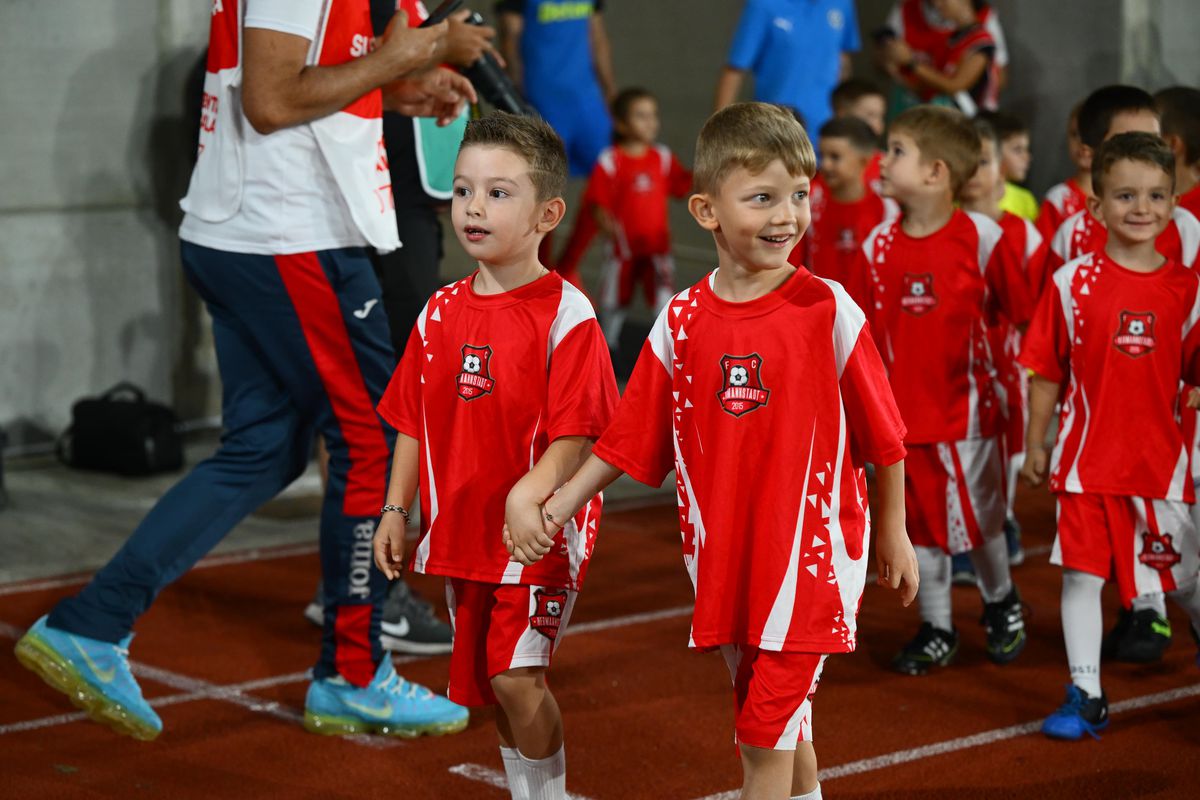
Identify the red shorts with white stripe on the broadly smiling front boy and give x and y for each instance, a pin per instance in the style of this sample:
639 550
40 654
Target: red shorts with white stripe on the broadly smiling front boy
772 695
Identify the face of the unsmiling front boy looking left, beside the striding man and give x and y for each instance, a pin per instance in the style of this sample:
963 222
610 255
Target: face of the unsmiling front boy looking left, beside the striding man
496 212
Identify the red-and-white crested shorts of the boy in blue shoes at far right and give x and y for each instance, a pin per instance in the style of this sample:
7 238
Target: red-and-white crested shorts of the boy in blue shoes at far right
1149 546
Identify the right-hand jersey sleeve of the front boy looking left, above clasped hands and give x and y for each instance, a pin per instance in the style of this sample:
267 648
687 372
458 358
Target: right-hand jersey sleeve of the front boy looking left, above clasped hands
583 387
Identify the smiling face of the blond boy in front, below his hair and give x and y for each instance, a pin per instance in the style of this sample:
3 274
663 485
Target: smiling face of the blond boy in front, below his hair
757 218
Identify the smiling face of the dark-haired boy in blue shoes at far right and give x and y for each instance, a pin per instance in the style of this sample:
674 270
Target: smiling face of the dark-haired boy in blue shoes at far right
1136 202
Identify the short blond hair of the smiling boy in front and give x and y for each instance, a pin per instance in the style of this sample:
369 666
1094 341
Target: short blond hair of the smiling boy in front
751 136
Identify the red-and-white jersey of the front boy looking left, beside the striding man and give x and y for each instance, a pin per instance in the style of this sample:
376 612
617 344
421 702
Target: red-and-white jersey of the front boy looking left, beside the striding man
487 384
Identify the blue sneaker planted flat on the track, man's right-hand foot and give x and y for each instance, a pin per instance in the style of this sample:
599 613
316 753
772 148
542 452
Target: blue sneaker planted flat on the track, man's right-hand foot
389 705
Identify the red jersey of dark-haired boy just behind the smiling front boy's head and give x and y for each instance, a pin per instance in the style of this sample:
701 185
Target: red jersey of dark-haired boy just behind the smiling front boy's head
836 236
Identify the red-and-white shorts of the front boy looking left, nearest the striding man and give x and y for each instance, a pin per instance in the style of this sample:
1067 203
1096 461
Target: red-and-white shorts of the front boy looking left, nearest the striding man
500 628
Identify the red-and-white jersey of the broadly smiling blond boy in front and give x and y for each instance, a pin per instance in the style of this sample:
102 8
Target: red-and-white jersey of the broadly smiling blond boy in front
767 410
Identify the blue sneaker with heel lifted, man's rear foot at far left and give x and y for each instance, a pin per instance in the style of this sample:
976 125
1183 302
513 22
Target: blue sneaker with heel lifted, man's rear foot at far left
95 676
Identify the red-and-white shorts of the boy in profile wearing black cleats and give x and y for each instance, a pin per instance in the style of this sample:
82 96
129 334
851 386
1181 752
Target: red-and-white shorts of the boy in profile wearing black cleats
955 494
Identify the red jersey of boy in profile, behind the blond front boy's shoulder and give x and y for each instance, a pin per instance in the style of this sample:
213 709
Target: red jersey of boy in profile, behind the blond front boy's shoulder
931 300
